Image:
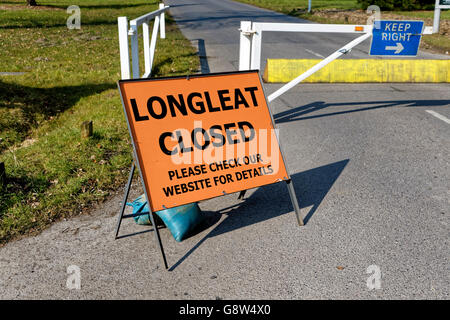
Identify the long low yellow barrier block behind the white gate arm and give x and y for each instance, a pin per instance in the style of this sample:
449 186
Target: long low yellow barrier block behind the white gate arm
360 70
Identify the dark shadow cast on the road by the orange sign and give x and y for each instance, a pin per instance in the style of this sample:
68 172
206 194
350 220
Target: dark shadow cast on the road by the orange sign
272 201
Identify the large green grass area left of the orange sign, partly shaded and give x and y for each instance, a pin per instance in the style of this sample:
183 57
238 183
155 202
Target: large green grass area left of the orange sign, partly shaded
70 76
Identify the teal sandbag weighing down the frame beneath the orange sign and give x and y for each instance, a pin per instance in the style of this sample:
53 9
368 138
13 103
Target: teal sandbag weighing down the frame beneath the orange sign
179 220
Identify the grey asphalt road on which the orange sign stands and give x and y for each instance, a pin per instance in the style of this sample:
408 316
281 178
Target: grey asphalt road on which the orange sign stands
371 170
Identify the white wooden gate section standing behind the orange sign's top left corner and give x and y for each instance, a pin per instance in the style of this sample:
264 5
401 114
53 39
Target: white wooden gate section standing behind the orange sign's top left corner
149 45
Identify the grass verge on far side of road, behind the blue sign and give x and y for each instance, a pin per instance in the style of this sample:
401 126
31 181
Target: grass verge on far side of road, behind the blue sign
348 11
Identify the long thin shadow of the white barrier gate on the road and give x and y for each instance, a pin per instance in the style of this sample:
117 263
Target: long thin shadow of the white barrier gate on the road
299 112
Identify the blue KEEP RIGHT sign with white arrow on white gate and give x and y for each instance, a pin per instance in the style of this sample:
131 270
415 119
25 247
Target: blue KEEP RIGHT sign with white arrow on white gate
396 38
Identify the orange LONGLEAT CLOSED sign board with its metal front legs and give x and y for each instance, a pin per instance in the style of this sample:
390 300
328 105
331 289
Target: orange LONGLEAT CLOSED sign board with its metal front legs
202 136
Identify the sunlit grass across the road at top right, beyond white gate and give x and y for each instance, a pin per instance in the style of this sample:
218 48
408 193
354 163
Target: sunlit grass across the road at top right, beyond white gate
298 8
